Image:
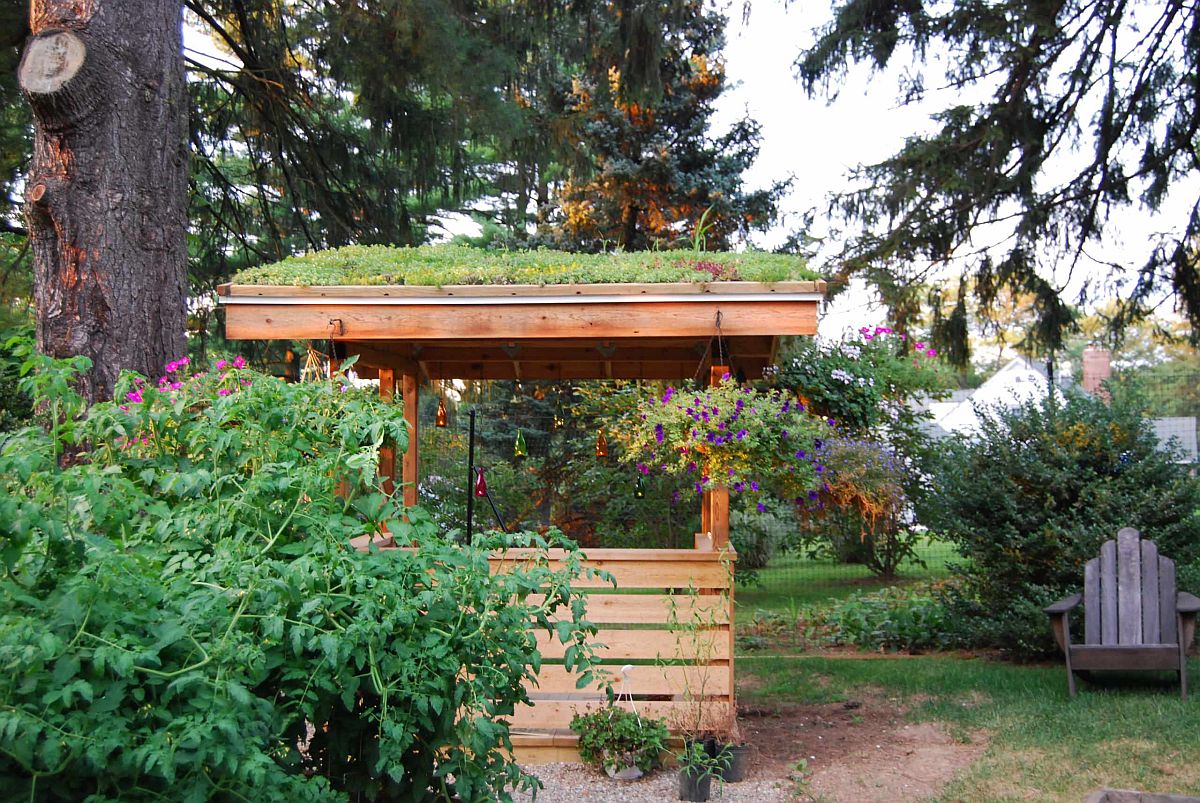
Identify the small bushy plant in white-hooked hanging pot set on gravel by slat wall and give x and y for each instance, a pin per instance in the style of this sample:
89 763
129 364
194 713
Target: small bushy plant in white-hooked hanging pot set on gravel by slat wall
621 742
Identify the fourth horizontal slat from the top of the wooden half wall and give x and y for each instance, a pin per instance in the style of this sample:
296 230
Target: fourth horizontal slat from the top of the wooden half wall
715 680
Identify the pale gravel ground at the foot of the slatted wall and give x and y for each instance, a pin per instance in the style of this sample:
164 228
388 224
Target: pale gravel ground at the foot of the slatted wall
567 783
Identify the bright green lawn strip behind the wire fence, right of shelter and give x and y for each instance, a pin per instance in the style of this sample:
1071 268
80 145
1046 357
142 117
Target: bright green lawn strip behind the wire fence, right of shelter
791 582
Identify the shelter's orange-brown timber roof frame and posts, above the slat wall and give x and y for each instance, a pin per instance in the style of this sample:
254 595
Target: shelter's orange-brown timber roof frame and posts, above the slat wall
527 333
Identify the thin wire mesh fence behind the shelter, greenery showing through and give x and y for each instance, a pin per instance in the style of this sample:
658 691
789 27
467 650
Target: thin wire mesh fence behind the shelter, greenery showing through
550 462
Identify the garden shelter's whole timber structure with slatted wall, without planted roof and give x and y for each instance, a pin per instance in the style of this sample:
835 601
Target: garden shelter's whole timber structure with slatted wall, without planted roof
685 673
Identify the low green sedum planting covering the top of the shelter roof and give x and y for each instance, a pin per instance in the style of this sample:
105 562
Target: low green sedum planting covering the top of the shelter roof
436 266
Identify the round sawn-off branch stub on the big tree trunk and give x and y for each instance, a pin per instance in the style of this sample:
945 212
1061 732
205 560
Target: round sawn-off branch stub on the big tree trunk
57 79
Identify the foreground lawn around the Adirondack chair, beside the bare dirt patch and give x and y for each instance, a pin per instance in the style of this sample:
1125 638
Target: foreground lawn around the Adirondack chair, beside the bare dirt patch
1043 746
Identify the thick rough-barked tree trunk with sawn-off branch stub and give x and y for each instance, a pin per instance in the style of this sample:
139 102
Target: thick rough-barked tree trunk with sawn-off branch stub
107 190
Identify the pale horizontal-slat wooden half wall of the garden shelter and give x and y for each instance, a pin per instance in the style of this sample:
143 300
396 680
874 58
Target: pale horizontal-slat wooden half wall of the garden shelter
682 674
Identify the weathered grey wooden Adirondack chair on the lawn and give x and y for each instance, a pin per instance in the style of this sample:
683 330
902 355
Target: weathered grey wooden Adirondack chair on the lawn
1133 618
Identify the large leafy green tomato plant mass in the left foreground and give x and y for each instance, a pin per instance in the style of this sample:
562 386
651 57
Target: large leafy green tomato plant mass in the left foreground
183 618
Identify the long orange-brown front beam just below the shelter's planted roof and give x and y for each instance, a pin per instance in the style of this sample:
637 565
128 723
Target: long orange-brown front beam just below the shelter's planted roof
520 321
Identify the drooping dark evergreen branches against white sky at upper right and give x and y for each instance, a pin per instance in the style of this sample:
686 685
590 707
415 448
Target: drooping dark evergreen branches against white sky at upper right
1091 107
